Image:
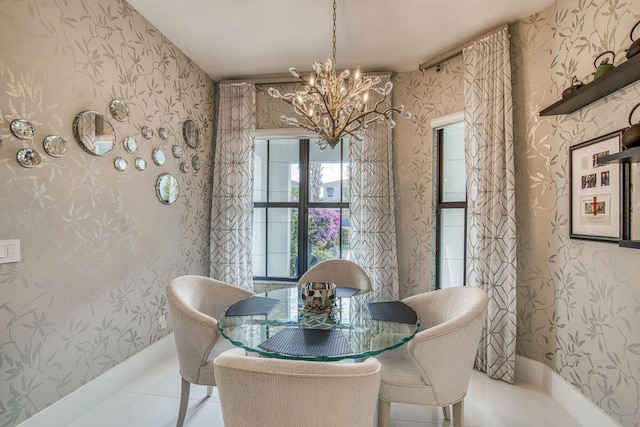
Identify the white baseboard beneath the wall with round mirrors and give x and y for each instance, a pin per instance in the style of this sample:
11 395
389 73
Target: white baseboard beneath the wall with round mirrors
79 402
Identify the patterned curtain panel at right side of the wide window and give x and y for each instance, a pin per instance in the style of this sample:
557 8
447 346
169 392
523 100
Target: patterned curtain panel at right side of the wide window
373 224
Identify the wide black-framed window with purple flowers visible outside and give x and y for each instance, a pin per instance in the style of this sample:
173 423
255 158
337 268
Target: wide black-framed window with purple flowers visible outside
301 206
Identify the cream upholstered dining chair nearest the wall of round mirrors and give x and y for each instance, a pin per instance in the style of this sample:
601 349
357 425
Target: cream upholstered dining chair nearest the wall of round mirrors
194 304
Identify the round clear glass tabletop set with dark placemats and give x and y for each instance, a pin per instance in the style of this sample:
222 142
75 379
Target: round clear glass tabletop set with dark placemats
276 324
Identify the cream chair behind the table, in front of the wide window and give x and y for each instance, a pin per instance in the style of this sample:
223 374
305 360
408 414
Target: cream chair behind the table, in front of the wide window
342 272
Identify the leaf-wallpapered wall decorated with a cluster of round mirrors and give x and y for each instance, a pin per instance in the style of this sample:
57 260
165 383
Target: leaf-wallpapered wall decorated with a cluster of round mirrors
97 245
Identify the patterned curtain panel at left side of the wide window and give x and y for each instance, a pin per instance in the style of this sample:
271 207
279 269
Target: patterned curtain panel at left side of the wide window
232 201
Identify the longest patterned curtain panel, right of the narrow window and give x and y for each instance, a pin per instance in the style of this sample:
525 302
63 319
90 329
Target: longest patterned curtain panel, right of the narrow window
491 225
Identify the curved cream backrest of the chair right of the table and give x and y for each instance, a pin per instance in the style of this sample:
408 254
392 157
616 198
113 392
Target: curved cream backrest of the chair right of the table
445 347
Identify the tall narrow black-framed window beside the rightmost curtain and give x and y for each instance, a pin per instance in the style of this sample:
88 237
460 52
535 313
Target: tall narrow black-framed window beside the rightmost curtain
451 206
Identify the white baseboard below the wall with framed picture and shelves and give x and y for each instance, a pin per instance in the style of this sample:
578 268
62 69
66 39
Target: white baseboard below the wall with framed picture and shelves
587 413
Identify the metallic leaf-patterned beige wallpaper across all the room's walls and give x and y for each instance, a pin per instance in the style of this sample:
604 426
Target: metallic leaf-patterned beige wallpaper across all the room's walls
98 247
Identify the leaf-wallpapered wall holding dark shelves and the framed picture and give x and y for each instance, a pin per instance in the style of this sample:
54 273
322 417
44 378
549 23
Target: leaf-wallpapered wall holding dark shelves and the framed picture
578 301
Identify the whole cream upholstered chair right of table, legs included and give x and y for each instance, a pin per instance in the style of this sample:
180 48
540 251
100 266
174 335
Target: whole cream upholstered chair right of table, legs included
434 368
